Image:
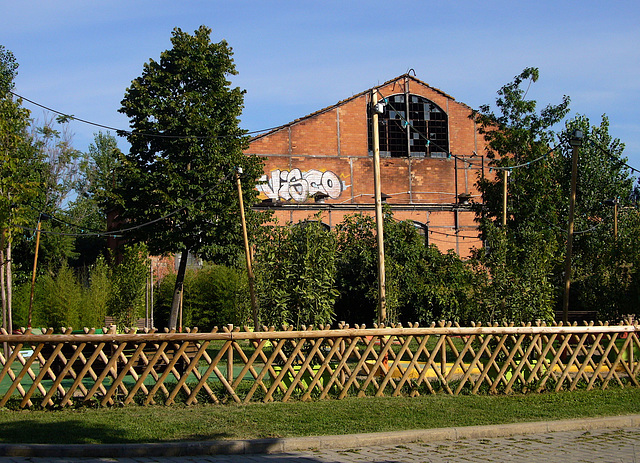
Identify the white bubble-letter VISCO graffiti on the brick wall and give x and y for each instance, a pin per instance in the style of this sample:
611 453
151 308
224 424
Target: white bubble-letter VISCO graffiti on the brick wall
297 185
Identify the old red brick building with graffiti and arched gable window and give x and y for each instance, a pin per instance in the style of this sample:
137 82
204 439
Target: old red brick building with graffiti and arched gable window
430 161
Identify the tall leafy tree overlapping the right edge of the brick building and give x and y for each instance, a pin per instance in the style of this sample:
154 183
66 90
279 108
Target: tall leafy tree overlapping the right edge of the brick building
518 262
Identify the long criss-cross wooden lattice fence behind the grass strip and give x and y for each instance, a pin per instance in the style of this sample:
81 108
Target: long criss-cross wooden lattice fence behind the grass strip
242 366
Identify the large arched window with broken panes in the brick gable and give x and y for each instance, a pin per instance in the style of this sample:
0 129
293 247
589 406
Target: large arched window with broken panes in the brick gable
424 133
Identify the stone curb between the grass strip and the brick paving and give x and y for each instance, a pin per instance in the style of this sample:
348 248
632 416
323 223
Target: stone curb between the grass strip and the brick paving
290 444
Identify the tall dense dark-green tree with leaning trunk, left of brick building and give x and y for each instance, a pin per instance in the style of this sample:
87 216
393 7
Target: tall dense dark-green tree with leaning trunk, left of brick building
185 146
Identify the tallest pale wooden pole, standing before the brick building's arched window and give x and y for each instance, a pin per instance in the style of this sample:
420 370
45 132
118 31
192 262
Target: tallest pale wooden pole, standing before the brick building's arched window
382 303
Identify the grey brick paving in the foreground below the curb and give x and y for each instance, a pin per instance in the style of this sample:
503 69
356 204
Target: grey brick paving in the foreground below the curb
604 445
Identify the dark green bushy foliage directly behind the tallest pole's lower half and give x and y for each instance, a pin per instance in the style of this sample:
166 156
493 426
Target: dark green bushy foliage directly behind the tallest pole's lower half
422 284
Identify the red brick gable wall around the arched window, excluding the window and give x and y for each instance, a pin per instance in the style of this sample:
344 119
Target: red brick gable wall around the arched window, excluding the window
330 148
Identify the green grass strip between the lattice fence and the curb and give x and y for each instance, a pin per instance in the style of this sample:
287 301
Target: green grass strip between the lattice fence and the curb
134 424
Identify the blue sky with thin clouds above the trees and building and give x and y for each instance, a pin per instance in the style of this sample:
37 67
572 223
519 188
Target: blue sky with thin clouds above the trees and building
294 57
